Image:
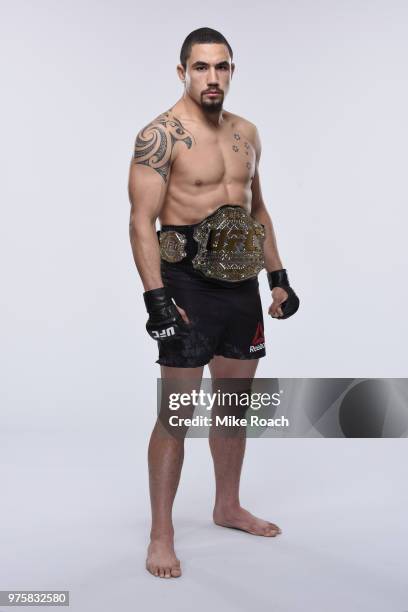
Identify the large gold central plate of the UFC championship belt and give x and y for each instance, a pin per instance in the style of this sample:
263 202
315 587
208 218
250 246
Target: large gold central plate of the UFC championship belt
230 245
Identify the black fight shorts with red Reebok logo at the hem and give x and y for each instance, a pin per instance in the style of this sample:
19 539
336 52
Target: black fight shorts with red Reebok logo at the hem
225 318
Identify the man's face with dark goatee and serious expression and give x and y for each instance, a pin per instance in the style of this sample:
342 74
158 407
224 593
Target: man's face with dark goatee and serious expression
208 75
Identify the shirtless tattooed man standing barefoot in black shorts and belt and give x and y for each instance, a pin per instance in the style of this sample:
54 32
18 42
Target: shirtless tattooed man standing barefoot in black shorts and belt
195 168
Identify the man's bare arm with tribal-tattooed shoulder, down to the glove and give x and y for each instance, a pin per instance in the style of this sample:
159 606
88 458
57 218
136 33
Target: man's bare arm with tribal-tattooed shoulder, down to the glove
148 179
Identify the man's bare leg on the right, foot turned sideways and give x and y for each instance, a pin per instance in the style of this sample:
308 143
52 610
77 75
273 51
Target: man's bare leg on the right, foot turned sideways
228 454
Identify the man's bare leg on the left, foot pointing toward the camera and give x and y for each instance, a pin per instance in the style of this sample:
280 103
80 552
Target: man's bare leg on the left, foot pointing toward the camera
165 458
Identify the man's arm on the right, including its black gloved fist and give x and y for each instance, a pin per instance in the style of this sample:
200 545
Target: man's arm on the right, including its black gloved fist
285 301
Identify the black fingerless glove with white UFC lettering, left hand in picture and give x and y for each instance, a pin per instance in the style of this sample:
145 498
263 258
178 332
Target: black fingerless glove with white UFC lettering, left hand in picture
165 322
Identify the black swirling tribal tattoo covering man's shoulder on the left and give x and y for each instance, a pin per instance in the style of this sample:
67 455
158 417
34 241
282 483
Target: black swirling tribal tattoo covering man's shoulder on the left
155 143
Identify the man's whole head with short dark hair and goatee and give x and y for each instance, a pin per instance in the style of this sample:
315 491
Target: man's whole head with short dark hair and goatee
205 67
